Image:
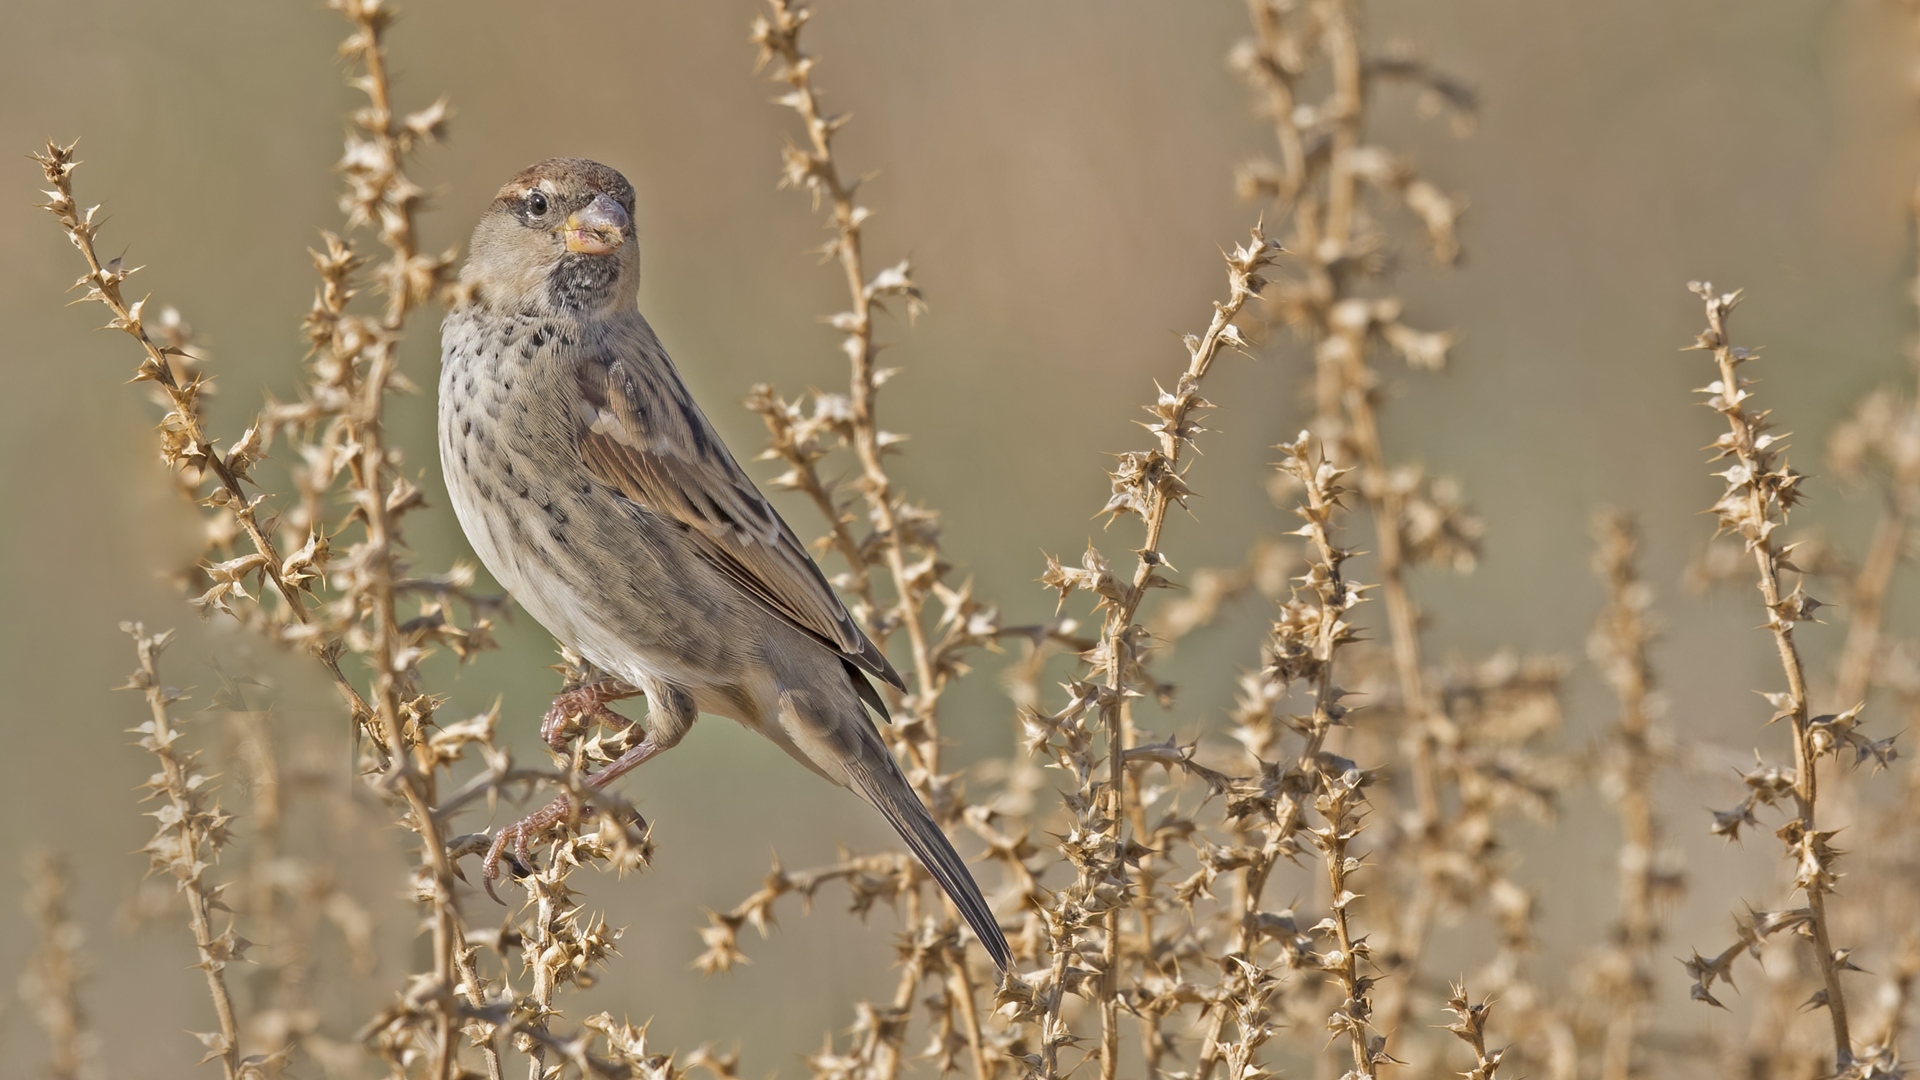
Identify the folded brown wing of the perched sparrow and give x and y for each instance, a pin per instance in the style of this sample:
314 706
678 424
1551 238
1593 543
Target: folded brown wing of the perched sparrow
648 439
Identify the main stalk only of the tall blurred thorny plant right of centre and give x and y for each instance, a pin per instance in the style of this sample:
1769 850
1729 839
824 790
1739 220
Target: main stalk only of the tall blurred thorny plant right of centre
1322 182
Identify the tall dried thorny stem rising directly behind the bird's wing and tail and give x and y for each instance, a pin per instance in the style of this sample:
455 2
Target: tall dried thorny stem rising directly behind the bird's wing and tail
901 547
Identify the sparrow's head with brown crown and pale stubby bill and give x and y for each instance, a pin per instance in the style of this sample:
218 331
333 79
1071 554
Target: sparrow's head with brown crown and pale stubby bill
560 237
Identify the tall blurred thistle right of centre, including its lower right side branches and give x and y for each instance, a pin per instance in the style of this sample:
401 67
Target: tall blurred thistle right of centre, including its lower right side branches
1470 739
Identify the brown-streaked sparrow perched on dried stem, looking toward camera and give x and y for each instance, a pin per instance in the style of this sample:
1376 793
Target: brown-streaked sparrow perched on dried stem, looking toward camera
594 489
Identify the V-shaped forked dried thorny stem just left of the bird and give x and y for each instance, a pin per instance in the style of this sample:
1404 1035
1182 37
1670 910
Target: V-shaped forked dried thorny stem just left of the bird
358 374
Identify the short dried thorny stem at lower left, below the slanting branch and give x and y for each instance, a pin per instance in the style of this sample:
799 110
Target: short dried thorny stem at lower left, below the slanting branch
189 839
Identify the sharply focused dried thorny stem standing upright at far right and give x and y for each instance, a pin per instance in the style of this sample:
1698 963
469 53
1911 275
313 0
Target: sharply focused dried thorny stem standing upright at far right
1760 493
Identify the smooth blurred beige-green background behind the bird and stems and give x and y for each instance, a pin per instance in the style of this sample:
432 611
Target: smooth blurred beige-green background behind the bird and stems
1061 172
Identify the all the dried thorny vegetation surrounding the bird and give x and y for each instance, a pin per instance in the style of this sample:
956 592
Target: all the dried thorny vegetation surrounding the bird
1141 875
